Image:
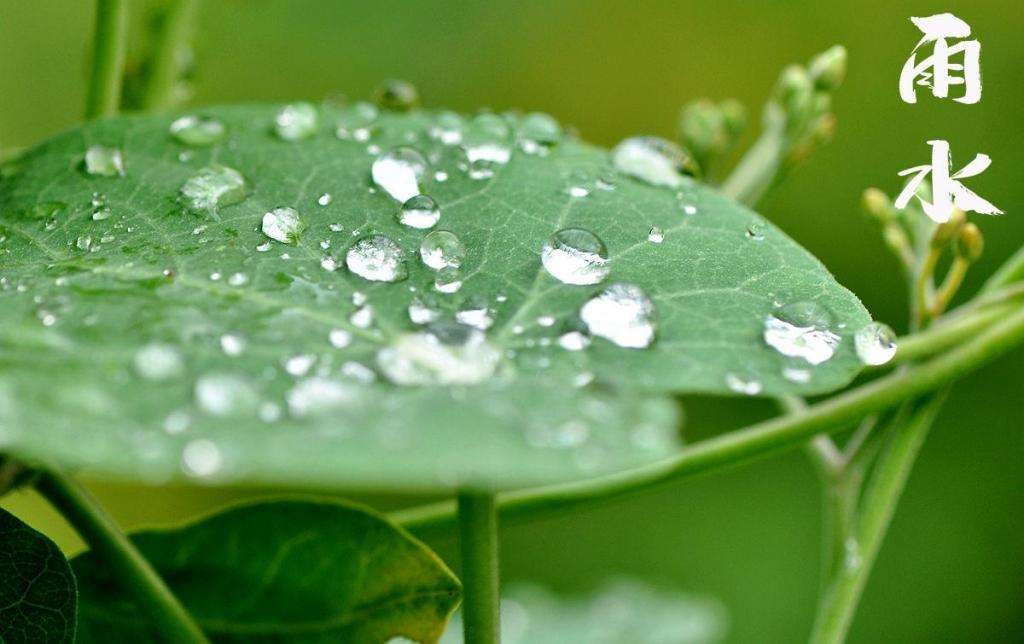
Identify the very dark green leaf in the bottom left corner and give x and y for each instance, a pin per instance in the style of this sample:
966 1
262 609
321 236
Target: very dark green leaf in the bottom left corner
37 588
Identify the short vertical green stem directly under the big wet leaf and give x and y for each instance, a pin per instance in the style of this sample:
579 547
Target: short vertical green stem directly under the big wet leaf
479 542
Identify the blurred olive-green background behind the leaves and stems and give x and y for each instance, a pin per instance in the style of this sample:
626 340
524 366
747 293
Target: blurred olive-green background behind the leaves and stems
953 567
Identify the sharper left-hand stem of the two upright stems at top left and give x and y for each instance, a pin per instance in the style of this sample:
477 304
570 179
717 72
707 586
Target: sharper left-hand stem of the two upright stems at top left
108 61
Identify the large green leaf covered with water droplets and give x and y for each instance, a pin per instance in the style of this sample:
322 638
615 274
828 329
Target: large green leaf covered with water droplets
118 304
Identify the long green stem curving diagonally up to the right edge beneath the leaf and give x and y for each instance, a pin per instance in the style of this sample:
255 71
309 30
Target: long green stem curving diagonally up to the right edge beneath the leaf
754 442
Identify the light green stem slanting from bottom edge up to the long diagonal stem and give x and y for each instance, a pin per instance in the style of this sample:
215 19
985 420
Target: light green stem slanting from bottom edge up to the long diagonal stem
840 602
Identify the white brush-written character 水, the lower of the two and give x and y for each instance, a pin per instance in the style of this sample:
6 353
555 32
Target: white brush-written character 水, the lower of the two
948 192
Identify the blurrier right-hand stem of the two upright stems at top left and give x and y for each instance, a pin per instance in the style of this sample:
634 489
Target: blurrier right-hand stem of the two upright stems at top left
163 72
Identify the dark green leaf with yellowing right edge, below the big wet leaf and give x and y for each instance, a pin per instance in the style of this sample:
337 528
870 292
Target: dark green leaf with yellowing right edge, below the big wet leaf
282 572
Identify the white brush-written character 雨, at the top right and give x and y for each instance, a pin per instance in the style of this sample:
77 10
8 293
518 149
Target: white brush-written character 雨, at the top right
935 71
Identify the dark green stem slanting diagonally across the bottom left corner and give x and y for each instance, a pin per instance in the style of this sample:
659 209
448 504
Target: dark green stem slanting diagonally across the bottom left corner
130 568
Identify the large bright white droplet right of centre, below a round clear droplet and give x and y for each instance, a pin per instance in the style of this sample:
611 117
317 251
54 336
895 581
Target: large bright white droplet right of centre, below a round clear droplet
622 314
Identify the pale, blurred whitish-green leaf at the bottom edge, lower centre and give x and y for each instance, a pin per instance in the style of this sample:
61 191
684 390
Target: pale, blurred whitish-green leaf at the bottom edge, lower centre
624 612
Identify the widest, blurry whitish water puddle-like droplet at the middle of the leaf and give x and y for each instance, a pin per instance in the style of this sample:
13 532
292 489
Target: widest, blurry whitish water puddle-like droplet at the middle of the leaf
445 355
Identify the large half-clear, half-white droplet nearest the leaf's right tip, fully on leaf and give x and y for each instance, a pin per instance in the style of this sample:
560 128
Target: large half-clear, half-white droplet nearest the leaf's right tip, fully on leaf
802 330
